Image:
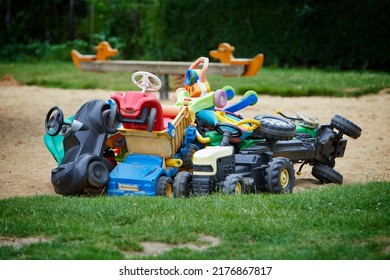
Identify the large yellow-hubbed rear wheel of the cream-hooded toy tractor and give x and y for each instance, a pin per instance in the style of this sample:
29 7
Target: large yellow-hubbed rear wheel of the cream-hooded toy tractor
280 176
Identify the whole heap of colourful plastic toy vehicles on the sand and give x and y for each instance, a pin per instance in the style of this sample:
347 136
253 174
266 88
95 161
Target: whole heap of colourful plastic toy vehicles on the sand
134 145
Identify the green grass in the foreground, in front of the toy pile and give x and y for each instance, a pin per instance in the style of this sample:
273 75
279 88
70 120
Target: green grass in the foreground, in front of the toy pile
336 222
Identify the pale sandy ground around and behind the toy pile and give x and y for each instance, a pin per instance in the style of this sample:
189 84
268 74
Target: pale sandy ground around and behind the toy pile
25 163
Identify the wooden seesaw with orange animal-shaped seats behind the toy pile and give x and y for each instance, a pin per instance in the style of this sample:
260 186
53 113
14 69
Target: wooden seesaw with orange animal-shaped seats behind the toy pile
227 67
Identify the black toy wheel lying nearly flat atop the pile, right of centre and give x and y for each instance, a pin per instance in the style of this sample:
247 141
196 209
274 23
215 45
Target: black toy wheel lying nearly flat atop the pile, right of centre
274 128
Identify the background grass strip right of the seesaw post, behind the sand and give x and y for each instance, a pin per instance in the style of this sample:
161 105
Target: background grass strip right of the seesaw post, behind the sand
309 82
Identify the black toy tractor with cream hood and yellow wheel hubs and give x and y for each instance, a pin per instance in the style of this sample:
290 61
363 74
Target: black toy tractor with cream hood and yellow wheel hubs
219 168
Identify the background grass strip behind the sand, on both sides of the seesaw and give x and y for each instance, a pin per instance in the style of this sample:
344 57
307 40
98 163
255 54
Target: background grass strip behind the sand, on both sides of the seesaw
273 81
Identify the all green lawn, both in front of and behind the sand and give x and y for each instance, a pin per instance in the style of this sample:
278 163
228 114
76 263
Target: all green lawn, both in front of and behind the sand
334 222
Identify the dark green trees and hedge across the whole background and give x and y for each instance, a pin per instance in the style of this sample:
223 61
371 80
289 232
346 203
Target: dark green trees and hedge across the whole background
344 34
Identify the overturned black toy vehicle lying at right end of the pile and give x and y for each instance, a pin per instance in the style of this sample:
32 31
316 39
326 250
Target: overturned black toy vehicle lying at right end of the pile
303 140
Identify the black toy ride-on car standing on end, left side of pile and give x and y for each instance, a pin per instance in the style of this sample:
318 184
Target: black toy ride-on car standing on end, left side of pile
84 143
